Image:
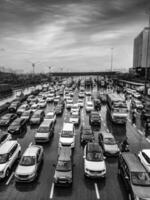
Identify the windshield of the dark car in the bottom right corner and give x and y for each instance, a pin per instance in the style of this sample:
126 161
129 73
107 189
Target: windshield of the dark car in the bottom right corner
140 178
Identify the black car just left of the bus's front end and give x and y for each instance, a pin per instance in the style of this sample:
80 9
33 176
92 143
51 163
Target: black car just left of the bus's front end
95 119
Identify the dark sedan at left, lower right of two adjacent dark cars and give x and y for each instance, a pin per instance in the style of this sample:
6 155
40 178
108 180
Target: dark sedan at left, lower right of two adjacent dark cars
18 126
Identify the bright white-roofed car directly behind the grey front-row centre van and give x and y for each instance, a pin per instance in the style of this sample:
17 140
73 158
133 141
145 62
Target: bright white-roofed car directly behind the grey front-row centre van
67 135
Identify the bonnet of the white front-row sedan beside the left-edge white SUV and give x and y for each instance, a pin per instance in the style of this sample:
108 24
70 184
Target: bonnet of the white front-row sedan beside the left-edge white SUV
23 170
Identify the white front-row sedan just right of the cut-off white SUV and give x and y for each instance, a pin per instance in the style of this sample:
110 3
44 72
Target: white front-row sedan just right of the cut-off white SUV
30 163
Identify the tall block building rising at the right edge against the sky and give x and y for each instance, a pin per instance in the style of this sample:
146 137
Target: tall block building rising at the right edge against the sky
141 55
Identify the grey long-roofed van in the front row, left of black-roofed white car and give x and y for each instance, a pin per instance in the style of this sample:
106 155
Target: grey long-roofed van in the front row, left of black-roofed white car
64 168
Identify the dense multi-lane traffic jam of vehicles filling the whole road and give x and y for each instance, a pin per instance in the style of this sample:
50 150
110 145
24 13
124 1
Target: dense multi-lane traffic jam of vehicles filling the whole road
73 140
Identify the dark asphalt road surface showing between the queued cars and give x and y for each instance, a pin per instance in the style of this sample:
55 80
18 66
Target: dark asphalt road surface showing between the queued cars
83 188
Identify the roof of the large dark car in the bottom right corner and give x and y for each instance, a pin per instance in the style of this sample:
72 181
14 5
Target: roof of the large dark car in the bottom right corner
133 162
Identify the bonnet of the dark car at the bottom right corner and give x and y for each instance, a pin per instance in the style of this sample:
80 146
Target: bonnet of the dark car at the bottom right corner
142 192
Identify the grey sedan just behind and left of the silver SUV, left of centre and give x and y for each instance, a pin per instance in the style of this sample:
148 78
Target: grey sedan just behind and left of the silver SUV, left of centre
37 117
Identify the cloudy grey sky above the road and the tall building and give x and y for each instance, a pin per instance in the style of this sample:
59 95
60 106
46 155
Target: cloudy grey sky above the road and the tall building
70 35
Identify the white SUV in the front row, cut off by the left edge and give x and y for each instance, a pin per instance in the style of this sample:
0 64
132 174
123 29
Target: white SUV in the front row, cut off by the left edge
10 152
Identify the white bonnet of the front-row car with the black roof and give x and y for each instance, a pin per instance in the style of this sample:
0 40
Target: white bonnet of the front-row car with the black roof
95 166
